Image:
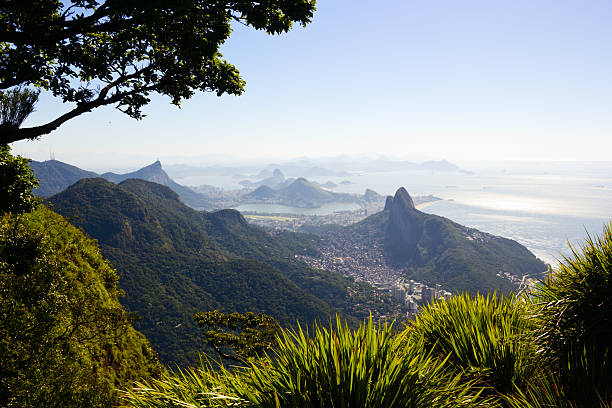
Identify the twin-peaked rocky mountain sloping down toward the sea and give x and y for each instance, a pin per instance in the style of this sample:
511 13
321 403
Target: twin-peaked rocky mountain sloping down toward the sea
432 249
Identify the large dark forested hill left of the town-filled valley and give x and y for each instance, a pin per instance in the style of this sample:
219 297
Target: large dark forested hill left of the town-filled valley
174 261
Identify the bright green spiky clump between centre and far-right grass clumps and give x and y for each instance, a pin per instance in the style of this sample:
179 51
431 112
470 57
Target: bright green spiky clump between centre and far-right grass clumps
486 338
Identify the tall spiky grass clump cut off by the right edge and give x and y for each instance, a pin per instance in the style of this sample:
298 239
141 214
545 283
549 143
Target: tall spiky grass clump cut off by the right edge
573 311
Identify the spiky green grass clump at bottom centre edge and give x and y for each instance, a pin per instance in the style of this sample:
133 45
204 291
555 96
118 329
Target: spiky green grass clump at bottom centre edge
339 367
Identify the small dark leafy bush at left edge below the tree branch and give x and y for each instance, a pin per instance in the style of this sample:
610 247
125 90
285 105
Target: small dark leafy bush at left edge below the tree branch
16 183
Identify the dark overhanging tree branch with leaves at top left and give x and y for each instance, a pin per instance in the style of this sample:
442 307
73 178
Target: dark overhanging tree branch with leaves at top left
92 53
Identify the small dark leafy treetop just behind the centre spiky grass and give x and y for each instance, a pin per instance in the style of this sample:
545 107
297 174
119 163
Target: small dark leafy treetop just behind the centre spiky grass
238 337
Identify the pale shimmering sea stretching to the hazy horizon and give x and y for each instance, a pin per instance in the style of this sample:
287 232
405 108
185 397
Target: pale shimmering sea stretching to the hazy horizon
541 205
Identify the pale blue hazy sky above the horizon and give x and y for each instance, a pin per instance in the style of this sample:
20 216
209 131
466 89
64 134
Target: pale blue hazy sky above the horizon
430 79
